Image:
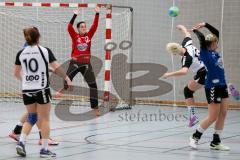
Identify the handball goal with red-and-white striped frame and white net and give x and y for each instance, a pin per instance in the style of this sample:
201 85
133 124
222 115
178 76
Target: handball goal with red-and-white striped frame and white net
52 19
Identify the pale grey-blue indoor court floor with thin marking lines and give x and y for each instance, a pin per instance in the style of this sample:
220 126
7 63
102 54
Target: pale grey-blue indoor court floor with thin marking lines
123 135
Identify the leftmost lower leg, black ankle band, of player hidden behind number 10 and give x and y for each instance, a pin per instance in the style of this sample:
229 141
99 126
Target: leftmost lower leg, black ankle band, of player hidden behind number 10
18 128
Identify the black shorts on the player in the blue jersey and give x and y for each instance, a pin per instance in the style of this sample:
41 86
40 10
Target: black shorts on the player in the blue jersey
216 94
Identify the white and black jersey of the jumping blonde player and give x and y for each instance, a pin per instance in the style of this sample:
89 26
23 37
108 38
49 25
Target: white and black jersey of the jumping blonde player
191 58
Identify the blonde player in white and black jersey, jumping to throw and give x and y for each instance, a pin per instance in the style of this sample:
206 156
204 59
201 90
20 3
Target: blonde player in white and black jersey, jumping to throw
190 61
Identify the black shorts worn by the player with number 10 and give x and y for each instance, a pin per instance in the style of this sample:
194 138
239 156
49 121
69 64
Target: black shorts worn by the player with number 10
40 97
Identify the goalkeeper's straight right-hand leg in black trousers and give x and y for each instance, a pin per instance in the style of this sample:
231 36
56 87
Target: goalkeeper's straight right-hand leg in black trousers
89 77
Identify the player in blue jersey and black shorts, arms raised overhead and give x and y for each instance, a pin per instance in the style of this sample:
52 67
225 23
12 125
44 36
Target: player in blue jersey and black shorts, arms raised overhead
215 87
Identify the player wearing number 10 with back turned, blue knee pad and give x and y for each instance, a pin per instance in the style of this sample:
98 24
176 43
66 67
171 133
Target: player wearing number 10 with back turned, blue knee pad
31 67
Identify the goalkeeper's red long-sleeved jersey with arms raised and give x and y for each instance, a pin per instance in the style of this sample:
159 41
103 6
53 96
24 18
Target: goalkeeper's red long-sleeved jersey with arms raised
81 44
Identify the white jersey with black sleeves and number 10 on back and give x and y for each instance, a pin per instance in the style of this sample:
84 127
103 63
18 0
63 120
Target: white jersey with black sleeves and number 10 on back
34 61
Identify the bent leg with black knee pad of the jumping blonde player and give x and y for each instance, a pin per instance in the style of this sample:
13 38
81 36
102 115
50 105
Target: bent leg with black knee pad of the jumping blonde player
189 98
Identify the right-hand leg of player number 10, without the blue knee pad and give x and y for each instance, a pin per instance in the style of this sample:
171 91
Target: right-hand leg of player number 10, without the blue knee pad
43 110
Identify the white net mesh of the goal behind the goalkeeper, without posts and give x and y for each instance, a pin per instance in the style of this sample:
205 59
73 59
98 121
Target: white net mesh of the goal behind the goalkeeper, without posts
52 24
